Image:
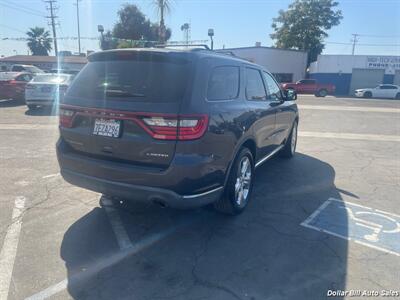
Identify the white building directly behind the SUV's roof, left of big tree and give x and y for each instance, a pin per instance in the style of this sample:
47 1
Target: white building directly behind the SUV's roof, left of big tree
286 65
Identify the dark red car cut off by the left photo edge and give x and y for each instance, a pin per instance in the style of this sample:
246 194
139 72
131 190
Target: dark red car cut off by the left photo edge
12 85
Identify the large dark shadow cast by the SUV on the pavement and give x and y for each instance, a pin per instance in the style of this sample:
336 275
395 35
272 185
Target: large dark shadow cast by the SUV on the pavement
262 254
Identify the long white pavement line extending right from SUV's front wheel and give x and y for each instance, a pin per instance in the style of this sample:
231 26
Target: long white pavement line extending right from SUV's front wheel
351 136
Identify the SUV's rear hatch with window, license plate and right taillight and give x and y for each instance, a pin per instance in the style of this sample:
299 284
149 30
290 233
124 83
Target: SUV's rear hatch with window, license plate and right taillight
124 106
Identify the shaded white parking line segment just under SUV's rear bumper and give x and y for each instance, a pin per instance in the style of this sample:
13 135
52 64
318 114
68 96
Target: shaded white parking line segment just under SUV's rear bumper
119 230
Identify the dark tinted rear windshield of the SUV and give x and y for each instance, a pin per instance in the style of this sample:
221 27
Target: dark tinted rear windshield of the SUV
132 80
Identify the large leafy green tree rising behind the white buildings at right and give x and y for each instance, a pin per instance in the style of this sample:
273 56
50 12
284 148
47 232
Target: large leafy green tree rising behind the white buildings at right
304 24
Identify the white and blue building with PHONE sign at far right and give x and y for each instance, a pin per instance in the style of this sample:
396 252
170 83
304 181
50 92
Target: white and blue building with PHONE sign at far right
350 72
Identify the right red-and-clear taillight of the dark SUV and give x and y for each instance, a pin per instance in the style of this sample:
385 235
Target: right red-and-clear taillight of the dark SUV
177 128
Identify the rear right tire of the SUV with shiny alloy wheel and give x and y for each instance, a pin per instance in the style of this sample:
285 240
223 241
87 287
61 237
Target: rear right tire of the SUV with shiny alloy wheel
239 186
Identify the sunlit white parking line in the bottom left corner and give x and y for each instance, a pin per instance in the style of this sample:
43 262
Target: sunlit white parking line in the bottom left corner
10 245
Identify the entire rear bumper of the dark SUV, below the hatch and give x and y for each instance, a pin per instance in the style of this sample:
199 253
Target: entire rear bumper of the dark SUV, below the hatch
189 181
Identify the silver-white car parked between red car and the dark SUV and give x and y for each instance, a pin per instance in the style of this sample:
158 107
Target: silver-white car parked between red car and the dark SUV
46 89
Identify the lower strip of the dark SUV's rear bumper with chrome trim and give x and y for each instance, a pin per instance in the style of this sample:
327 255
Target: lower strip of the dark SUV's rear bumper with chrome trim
141 193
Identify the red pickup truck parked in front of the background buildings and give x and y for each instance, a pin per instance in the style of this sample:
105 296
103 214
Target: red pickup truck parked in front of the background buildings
310 86
